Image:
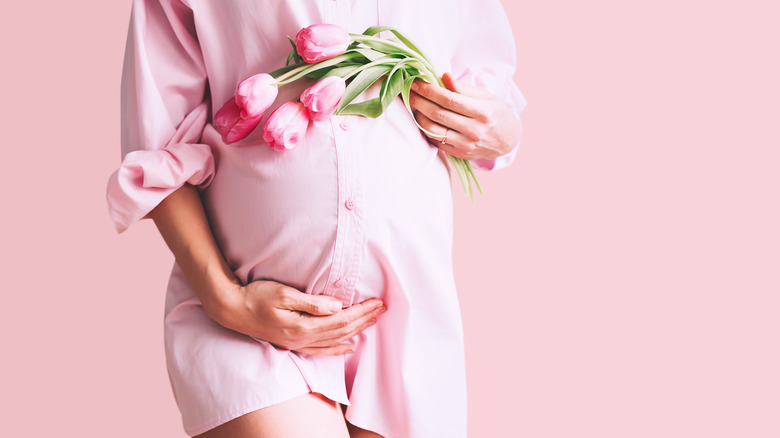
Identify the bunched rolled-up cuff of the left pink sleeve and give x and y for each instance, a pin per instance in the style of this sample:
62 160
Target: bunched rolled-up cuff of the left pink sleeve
146 177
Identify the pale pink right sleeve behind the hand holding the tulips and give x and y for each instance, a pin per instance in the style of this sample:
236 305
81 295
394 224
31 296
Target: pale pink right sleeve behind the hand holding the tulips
485 56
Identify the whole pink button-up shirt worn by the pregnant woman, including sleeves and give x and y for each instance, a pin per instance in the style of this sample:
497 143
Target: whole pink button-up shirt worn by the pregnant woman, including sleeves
362 209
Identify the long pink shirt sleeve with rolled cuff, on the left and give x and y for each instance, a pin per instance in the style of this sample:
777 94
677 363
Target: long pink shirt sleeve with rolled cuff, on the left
165 108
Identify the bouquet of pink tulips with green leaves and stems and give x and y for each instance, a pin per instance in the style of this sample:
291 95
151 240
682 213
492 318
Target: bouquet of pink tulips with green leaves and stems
345 66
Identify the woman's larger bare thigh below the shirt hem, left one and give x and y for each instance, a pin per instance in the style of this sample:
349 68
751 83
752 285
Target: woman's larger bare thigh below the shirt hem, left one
310 415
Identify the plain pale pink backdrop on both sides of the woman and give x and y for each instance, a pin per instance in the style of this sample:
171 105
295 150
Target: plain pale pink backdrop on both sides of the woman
622 279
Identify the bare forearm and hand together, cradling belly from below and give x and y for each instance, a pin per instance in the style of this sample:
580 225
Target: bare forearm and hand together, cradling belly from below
267 310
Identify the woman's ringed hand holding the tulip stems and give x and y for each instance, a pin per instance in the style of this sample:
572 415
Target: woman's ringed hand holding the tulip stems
474 123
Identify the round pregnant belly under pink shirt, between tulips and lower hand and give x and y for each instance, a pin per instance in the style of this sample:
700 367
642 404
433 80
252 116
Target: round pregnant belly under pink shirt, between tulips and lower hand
328 210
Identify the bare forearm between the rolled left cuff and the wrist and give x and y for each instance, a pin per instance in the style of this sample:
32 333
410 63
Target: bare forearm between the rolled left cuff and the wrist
182 222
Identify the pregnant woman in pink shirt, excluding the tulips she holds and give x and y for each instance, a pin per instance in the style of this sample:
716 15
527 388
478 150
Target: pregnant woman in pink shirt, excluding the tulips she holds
313 291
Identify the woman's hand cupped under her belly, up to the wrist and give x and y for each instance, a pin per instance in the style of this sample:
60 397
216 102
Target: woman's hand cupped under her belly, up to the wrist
294 320
